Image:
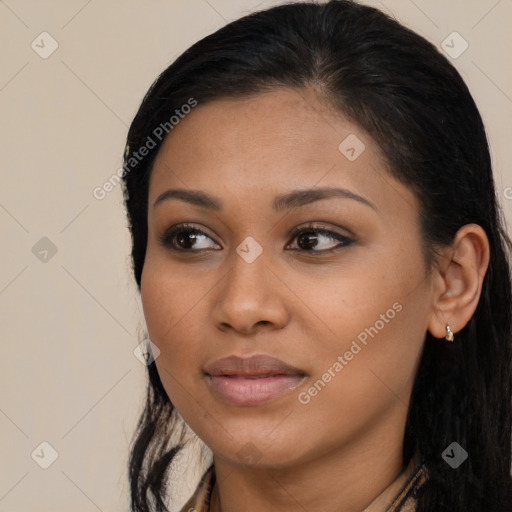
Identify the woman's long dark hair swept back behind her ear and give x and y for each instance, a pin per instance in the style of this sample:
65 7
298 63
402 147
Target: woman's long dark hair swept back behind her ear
413 102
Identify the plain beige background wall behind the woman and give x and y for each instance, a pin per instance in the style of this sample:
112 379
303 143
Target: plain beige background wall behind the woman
68 375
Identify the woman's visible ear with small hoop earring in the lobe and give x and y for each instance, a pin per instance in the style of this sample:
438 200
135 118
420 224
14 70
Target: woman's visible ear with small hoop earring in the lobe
457 280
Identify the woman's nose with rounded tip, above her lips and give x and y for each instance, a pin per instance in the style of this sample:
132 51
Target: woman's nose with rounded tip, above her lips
251 298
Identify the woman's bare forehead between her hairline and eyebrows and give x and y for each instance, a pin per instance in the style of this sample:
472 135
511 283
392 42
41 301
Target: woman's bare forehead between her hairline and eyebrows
271 142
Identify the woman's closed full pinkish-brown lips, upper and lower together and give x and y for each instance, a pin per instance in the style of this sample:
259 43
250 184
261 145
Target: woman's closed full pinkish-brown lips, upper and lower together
251 381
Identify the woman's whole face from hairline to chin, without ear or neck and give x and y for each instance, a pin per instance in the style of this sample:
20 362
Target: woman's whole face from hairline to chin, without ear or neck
345 304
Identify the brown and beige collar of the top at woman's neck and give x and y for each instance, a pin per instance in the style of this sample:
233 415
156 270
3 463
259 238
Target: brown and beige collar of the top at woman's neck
398 494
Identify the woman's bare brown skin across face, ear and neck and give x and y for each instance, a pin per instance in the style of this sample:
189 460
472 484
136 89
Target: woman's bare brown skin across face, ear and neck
344 447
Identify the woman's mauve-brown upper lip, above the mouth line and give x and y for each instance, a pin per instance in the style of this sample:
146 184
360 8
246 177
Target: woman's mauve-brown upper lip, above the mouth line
255 365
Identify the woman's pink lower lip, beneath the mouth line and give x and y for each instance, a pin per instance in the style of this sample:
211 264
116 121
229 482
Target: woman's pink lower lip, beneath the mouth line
252 391
